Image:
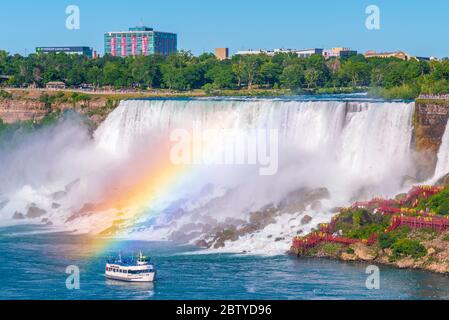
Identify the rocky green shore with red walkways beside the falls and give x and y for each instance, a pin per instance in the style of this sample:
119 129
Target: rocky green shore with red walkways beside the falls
413 245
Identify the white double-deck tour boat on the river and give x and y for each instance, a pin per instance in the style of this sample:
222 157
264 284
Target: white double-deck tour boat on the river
130 270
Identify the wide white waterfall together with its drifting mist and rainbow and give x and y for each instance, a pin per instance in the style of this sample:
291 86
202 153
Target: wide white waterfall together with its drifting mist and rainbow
71 179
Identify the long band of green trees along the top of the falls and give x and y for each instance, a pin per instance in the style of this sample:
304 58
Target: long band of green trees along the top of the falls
183 71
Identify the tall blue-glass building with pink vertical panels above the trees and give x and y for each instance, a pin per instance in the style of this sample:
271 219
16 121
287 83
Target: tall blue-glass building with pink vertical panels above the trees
140 41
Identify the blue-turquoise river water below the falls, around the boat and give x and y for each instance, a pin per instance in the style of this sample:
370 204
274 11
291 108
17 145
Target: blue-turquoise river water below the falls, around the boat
33 267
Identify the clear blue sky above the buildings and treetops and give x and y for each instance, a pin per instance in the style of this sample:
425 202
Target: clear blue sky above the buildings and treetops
418 27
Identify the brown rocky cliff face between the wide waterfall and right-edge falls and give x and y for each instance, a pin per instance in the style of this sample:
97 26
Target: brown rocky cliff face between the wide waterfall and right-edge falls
431 117
